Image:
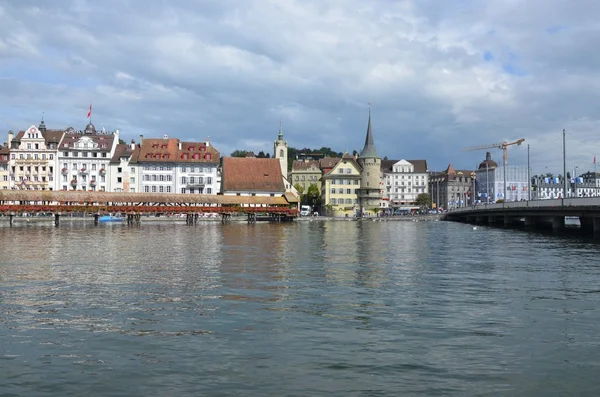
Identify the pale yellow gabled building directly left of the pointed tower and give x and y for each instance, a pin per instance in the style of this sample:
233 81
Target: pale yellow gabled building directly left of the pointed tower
339 188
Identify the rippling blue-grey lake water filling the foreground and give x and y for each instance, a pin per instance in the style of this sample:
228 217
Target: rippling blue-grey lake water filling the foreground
308 308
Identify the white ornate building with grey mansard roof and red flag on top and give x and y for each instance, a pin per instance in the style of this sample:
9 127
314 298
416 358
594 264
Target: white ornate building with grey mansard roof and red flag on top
84 158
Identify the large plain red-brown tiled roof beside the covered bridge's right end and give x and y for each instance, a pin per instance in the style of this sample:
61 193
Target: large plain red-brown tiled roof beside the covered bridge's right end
247 174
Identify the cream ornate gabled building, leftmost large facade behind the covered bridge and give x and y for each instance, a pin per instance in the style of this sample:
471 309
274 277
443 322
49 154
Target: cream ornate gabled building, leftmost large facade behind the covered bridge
33 153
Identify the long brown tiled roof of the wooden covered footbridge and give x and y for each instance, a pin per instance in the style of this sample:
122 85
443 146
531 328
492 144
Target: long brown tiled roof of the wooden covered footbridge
106 197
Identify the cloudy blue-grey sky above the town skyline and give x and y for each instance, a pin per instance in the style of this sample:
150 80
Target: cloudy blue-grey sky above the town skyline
440 75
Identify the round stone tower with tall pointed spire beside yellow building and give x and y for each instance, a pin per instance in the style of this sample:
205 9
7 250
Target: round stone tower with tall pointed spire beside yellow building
369 194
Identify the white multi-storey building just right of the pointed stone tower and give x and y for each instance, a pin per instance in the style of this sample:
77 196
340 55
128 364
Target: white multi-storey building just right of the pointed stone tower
403 181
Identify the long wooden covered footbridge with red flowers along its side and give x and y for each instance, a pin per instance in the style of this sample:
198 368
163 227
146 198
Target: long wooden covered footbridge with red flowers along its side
133 205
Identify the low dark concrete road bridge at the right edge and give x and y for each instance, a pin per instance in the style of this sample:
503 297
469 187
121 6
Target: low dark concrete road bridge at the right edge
534 214
